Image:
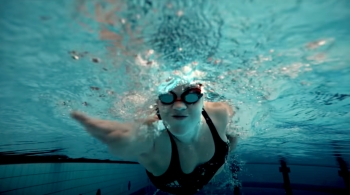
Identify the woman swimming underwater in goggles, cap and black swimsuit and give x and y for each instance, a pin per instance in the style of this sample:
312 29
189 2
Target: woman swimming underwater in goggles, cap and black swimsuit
184 157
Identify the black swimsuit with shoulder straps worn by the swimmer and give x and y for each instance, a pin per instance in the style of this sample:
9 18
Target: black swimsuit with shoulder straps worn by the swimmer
176 182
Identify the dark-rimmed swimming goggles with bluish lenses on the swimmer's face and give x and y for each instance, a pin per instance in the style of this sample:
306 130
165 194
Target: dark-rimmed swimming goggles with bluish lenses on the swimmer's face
190 96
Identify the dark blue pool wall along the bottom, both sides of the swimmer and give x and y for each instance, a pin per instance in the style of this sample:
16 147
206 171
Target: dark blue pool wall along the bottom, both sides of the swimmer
121 177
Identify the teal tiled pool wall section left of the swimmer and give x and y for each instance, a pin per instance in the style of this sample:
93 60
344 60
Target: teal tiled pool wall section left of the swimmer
72 178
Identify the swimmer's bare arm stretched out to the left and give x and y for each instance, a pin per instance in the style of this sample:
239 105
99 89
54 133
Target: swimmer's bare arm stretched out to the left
125 140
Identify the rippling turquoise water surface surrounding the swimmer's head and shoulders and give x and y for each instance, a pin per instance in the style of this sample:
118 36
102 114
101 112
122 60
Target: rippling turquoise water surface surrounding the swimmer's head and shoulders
283 65
